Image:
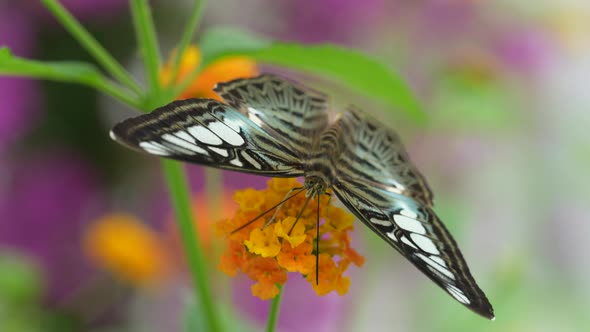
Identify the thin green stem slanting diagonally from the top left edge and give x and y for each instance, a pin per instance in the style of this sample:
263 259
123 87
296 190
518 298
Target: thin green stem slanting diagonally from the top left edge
92 46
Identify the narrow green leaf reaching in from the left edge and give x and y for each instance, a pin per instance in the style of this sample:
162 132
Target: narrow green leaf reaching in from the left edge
63 71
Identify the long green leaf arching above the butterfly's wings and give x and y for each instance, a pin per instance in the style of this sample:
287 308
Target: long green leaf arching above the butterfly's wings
345 66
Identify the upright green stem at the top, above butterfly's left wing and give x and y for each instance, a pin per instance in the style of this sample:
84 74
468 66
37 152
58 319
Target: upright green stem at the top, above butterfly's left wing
147 41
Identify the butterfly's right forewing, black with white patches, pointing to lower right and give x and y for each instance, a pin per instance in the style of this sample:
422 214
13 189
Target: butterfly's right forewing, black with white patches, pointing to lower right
414 230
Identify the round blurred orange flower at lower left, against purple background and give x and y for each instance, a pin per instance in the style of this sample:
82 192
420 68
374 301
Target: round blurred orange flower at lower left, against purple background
127 248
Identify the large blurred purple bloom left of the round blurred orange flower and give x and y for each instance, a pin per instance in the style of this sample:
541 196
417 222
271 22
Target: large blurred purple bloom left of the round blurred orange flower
45 201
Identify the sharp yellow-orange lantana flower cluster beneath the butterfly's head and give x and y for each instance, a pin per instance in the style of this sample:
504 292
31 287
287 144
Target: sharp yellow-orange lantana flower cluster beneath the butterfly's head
266 252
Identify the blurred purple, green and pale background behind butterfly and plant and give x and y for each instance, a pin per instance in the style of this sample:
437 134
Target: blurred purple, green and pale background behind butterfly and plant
506 150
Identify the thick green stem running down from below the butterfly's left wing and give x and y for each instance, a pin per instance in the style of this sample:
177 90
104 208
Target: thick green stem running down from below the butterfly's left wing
179 194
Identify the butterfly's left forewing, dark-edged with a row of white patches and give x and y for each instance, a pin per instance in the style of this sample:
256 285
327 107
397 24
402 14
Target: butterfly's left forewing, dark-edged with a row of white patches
208 132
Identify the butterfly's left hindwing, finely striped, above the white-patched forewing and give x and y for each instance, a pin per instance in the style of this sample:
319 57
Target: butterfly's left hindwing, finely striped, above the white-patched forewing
285 109
